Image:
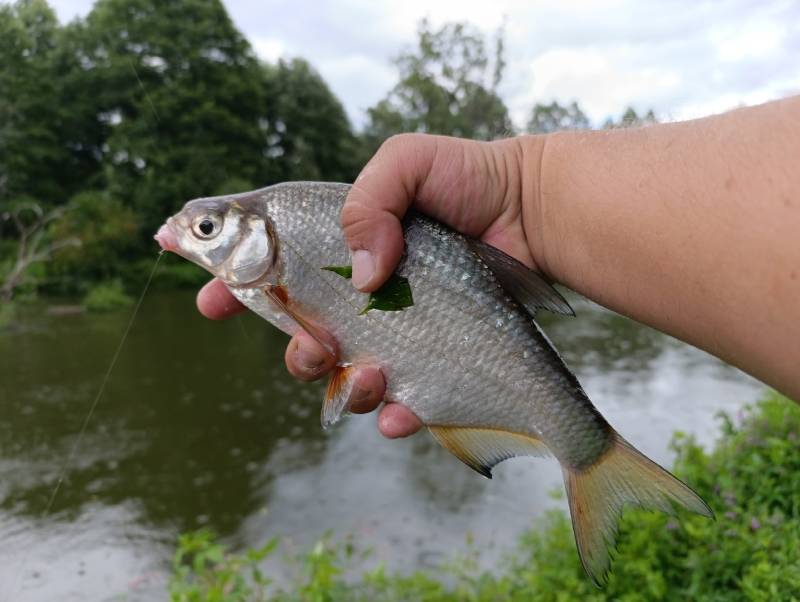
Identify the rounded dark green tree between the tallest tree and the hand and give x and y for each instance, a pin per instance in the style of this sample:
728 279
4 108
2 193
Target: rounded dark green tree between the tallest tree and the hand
308 133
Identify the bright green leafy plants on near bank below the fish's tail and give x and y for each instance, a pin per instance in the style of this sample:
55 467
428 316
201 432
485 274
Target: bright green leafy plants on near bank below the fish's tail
750 552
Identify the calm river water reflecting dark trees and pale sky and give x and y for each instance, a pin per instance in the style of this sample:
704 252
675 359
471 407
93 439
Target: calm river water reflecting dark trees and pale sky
201 425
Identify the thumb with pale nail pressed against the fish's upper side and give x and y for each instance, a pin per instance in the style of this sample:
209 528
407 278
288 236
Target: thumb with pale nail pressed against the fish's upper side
377 202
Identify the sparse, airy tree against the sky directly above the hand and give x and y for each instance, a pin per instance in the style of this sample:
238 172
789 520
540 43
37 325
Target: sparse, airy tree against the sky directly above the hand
447 85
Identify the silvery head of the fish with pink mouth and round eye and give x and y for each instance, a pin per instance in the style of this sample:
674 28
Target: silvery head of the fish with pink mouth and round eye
230 236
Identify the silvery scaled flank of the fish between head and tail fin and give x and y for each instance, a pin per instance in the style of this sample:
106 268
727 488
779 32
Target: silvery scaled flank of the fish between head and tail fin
423 369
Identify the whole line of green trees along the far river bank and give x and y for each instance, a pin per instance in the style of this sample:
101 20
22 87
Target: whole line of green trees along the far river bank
122 116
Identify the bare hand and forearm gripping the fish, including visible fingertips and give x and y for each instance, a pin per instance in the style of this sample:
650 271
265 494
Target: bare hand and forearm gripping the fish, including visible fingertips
691 228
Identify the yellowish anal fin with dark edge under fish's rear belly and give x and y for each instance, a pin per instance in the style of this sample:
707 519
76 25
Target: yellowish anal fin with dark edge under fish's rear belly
483 448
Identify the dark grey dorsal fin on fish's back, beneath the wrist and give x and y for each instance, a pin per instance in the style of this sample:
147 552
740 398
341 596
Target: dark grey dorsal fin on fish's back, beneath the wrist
526 286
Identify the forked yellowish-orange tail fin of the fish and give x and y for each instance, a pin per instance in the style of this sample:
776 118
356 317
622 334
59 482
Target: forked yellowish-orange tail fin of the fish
597 494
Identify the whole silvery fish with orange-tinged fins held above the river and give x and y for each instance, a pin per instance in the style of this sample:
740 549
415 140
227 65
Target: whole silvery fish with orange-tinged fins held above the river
462 349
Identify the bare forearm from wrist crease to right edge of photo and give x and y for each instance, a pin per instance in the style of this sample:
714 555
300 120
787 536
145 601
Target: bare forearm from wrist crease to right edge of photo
693 228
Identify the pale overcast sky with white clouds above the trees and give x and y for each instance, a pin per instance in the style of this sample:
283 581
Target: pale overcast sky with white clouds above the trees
683 59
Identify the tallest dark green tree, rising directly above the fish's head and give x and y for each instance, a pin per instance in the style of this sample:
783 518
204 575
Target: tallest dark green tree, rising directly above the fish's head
179 92
